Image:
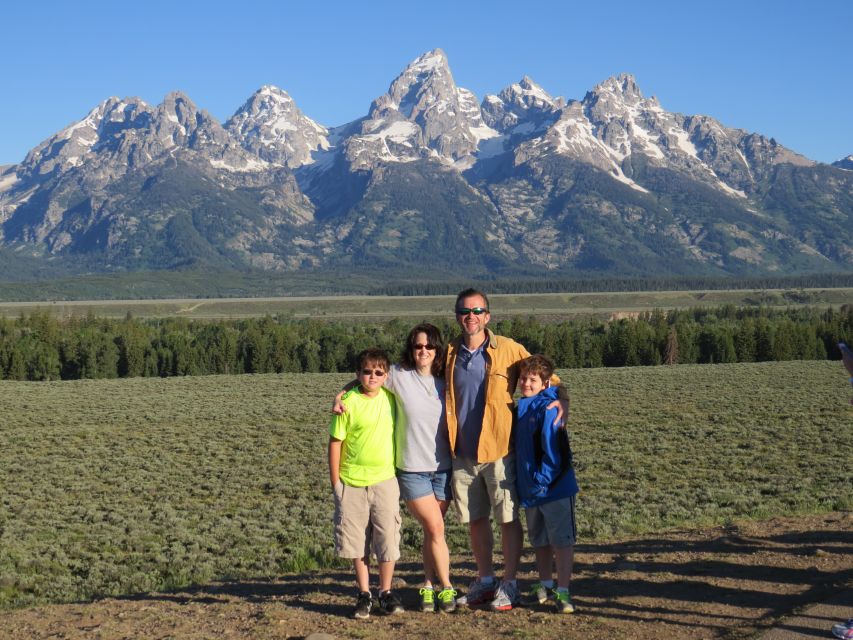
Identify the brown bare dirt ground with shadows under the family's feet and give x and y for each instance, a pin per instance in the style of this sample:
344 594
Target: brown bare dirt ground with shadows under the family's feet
731 582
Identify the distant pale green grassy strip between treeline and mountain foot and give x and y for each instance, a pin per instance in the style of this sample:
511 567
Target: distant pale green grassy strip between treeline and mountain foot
387 307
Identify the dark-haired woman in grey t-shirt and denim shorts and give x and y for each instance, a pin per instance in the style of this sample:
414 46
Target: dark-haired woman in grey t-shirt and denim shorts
423 454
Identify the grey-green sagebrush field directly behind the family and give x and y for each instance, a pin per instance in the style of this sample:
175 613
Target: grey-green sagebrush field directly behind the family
111 487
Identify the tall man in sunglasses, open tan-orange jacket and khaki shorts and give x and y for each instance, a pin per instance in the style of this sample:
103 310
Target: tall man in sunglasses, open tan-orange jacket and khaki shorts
482 373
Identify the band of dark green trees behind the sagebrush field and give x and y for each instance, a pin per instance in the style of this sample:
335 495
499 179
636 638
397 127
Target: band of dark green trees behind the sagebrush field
42 347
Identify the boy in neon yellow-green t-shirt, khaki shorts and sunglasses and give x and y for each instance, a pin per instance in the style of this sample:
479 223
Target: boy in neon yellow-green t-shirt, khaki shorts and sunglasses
361 470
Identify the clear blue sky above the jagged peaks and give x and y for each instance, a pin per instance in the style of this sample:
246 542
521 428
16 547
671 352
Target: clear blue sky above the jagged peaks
782 68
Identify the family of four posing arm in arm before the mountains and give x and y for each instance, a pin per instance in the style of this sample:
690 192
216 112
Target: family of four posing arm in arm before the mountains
440 427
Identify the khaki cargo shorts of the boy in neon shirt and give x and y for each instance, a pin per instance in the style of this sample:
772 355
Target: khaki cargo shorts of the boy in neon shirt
368 518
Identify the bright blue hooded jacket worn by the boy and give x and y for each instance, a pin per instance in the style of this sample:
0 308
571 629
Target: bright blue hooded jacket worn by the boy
541 470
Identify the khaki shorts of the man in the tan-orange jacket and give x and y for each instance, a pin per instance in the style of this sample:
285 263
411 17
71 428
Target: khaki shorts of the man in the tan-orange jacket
480 489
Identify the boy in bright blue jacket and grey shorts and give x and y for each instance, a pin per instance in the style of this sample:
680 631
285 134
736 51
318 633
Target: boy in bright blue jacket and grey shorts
546 483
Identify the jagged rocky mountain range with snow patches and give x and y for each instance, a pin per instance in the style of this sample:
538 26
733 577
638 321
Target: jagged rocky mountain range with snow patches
430 181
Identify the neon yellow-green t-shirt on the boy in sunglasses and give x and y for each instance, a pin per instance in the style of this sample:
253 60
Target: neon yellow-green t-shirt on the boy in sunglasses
366 430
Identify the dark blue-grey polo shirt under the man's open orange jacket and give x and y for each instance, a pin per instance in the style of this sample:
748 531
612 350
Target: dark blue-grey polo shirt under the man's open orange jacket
469 389
